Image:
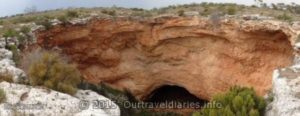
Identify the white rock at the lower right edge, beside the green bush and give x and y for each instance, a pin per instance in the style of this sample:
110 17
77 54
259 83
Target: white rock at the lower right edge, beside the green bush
286 91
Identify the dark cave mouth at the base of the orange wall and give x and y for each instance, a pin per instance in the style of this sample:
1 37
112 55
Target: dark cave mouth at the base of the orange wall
182 98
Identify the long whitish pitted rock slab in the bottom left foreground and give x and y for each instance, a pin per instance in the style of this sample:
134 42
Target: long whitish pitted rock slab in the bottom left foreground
44 102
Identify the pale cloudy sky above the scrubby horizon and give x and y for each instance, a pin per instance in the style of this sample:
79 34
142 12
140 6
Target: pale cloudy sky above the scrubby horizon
11 7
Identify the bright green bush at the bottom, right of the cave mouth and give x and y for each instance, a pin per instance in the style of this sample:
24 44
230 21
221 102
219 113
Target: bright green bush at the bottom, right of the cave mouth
239 101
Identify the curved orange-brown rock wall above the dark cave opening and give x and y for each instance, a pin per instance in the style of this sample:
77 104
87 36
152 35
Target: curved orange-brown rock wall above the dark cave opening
203 57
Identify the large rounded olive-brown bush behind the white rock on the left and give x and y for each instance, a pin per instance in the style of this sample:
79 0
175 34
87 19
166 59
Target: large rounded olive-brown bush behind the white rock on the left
51 70
